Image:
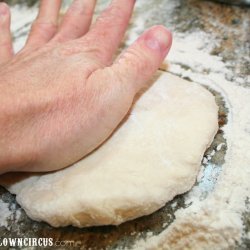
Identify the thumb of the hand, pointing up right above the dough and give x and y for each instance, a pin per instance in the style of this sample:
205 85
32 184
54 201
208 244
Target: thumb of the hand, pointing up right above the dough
138 64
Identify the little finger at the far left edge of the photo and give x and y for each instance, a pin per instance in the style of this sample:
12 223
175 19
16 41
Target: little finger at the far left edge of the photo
6 50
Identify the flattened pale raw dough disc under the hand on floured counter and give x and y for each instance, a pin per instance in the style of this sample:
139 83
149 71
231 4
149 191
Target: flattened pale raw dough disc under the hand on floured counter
154 155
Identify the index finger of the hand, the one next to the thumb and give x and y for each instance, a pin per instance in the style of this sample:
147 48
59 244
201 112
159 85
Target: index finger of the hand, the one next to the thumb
110 27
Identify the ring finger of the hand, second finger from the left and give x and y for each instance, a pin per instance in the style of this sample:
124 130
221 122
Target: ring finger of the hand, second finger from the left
45 26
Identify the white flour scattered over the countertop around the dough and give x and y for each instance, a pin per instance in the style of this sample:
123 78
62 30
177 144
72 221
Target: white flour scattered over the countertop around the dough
215 222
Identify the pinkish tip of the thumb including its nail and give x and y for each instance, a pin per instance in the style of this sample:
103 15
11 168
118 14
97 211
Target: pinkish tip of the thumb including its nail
159 39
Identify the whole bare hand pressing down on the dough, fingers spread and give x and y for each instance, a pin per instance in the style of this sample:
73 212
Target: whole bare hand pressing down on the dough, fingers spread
61 96
